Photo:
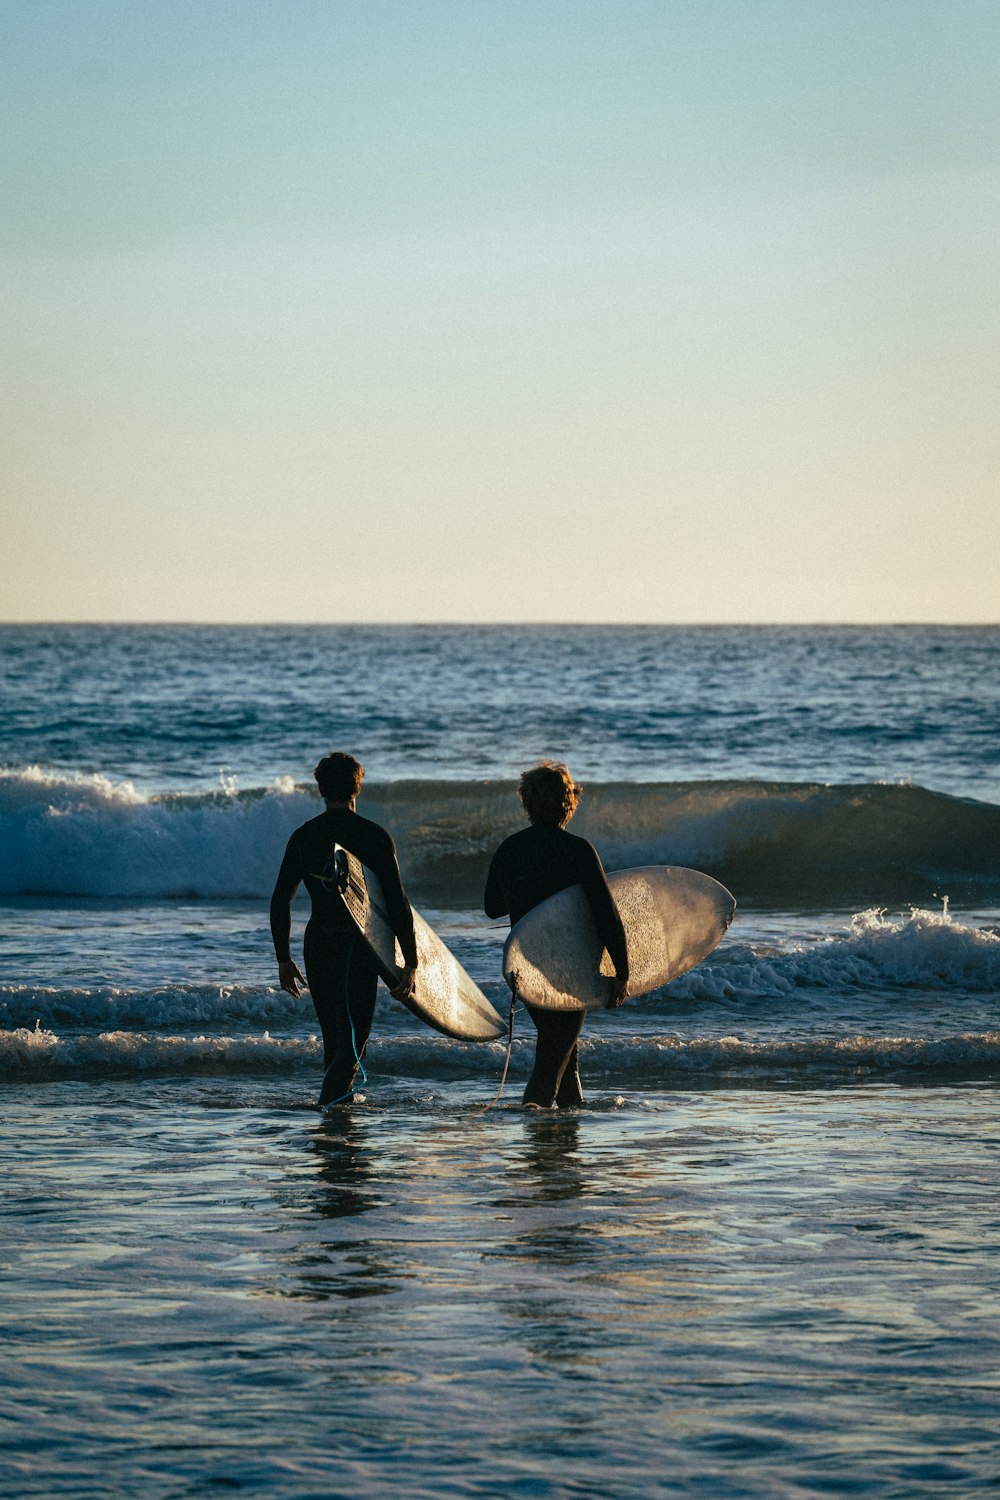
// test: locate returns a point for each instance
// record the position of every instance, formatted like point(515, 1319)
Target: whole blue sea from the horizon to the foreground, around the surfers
point(762, 1261)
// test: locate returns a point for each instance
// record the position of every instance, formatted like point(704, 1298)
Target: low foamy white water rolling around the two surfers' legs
point(926, 983)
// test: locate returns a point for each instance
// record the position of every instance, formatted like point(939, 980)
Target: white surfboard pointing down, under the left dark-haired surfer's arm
point(445, 995)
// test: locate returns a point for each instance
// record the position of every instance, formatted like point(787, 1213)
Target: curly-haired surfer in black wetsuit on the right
point(530, 868)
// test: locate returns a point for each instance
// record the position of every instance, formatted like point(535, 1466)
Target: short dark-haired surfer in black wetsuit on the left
point(341, 976)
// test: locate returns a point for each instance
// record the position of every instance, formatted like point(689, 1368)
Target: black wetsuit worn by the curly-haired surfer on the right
point(528, 869)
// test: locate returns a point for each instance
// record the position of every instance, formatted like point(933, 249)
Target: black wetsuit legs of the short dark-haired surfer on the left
point(344, 983)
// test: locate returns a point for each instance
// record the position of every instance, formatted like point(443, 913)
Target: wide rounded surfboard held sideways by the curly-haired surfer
point(672, 917)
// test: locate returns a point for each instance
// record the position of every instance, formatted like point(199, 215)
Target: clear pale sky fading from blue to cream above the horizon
point(500, 311)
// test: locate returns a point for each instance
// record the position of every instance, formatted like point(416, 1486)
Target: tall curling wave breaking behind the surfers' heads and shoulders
point(800, 844)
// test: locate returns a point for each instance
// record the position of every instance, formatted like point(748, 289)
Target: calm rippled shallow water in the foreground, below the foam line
point(741, 1294)
